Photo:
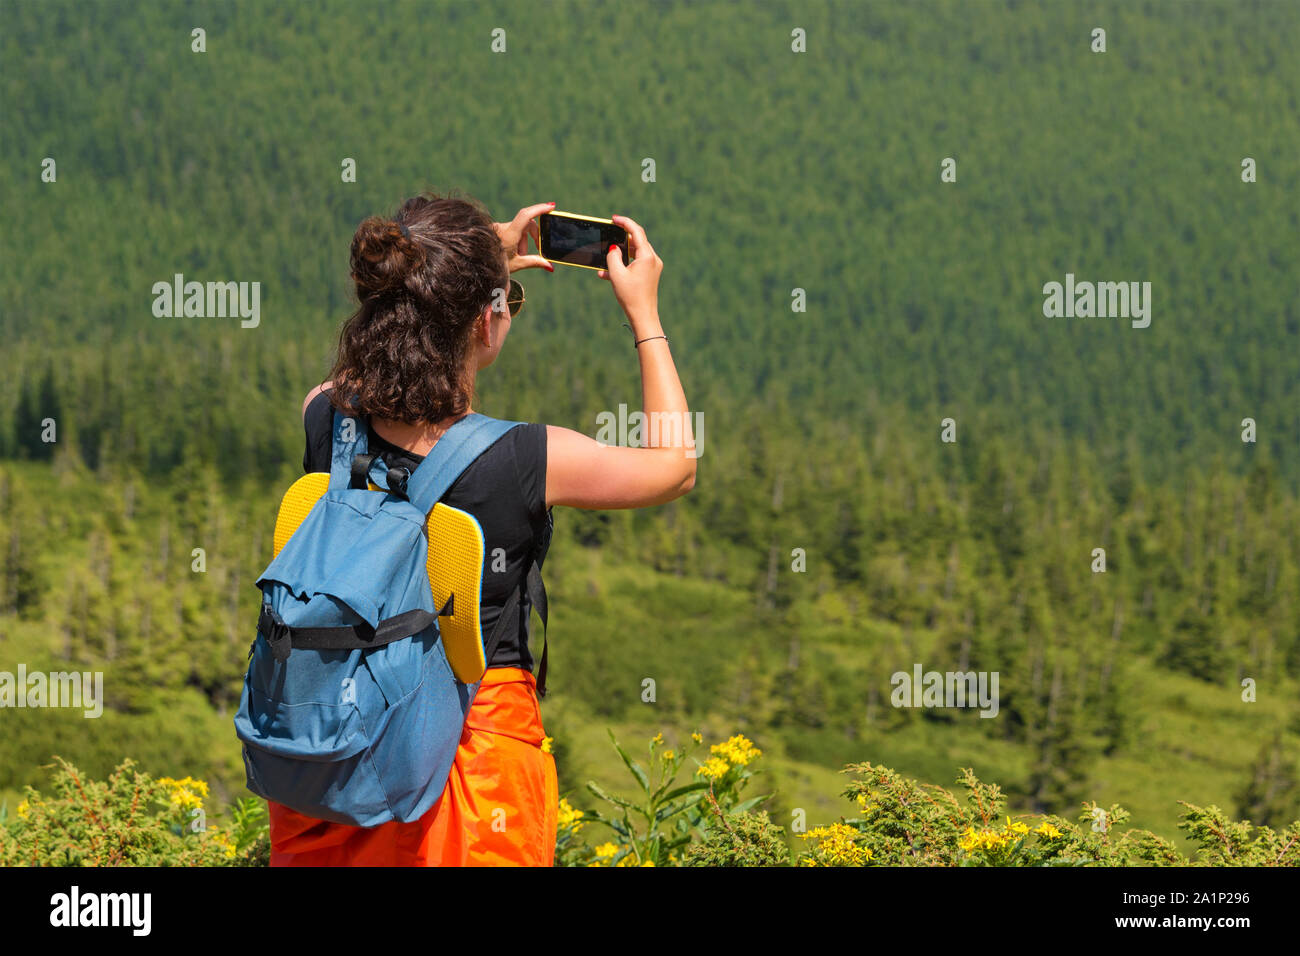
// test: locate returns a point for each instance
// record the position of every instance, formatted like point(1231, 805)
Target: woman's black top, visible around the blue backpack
point(505, 490)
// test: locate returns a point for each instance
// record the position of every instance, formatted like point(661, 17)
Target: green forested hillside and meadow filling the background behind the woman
point(904, 460)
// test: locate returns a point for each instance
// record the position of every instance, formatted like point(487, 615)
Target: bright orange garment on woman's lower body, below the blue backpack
point(500, 807)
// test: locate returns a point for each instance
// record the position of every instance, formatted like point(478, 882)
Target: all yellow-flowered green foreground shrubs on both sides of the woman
point(132, 820)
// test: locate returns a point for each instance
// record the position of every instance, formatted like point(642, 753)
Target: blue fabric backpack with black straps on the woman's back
point(350, 711)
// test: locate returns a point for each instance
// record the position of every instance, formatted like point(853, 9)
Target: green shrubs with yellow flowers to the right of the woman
point(899, 823)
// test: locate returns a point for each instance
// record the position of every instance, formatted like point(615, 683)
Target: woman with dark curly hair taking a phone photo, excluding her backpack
point(434, 312)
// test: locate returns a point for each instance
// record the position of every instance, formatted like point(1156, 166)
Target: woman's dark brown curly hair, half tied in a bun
point(423, 279)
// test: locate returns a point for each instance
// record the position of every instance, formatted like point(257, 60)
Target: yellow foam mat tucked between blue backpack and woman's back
point(456, 569)
